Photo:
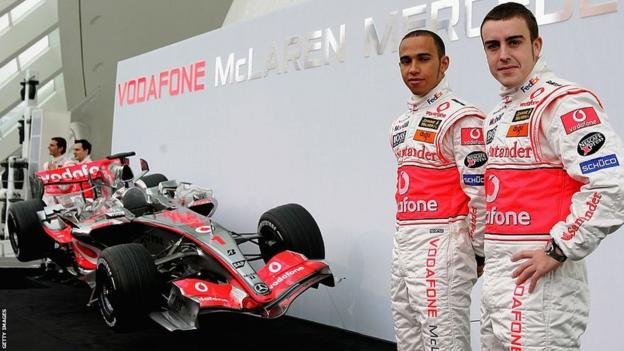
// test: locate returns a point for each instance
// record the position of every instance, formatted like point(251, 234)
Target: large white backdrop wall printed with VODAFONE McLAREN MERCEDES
point(316, 134)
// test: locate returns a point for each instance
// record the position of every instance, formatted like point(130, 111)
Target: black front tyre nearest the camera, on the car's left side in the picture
point(127, 286)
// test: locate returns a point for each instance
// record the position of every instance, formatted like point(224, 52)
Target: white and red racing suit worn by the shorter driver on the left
point(440, 151)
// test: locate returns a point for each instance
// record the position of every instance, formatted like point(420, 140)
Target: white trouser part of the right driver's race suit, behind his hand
point(542, 320)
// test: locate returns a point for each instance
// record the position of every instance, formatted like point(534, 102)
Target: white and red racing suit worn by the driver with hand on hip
point(553, 173)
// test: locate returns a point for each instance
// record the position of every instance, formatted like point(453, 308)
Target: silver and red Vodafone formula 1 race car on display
point(148, 246)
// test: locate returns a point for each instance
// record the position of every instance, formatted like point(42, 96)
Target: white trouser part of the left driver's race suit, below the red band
point(433, 272)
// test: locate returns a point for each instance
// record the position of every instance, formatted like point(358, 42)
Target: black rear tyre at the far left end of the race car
point(28, 240)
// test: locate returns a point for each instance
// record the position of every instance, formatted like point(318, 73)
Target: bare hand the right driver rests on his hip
point(537, 265)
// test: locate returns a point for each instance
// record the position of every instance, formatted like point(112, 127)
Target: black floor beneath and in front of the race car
point(47, 314)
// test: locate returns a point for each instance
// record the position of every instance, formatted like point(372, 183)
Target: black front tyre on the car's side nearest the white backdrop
point(290, 227)
